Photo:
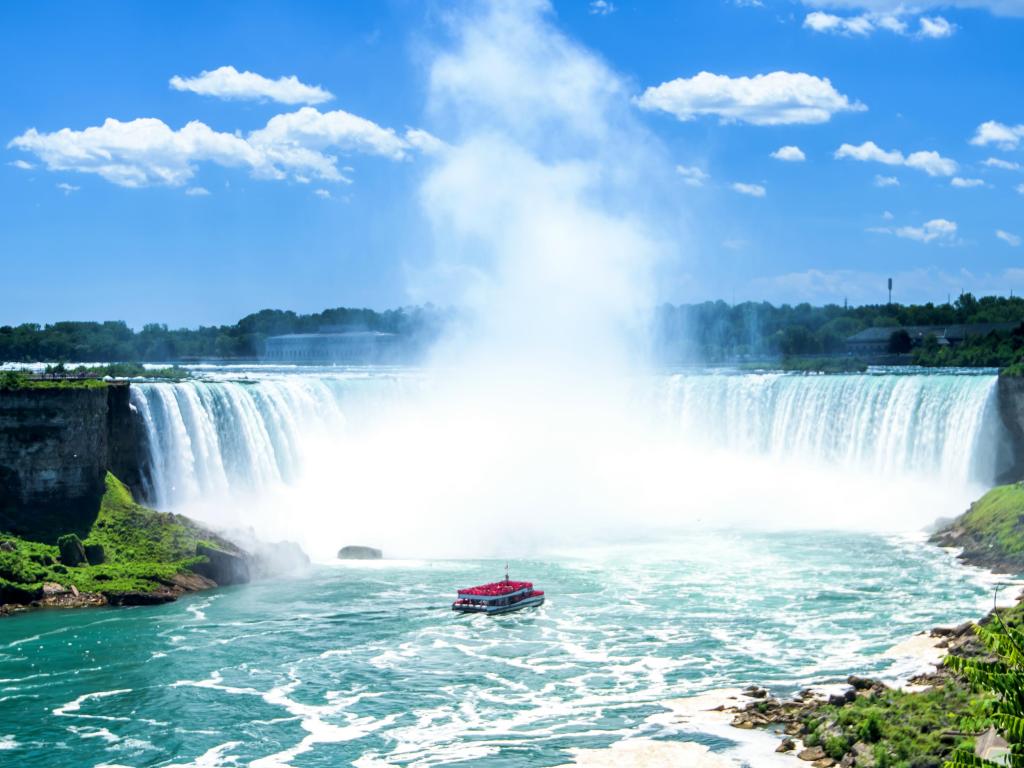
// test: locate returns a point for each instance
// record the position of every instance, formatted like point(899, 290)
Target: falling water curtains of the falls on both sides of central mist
point(218, 438)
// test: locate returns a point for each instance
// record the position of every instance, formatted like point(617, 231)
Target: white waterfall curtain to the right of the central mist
point(928, 424)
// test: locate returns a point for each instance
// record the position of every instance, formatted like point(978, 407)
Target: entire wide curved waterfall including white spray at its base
point(387, 460)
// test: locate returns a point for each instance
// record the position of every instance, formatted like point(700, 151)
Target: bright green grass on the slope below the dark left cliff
point(144, 550)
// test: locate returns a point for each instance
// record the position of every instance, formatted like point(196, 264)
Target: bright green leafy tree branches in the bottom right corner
point(1001, 675)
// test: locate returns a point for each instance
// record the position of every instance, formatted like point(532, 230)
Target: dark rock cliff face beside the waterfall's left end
point(56, 448)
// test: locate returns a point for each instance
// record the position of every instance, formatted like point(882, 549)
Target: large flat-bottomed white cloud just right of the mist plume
point(777, 99)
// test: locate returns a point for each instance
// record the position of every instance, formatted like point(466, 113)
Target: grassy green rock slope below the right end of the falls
point(992, 533)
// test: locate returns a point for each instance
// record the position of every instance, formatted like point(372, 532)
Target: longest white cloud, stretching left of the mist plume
point(148, 152)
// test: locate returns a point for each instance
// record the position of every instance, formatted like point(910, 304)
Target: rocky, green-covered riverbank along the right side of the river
point(868, 723)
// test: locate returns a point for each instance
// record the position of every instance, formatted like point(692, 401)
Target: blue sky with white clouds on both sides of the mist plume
point(309, 193)
